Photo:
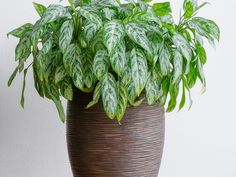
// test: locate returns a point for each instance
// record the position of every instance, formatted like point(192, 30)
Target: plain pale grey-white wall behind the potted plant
point(199, 143)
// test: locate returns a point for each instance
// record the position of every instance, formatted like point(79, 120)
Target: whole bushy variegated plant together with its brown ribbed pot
point(127, 62)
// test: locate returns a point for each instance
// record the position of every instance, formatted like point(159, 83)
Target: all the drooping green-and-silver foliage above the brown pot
point(123, 53)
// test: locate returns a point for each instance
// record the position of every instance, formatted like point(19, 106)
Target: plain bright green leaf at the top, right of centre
point(162, 9)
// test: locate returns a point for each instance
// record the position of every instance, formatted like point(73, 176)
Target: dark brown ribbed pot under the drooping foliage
point(100, 147)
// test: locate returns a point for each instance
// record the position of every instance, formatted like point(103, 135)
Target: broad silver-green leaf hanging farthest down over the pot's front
point(109, 95)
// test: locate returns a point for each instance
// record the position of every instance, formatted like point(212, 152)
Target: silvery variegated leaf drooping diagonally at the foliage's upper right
point(184, 48)
